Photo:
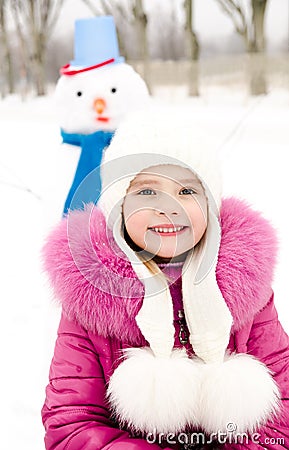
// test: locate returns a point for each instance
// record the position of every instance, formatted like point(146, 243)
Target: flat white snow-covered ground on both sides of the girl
point(35, 173)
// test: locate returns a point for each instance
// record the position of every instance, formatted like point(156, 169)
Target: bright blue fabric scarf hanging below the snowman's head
point(86, 185)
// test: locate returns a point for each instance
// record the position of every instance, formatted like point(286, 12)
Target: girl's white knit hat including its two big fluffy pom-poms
point(165, 403)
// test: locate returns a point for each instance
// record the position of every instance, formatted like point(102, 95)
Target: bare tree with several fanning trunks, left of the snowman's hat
point(34, 21)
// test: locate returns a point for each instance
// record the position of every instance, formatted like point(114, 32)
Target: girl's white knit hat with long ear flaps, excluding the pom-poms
point(147, 140)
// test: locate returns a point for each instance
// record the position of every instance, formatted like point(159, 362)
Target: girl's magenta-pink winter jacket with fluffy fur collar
point(98, 321)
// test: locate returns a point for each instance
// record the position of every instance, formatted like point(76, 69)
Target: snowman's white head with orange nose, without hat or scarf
point(99, 99)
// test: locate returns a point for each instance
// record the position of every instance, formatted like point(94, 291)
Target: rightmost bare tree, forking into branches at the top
point(251, 27)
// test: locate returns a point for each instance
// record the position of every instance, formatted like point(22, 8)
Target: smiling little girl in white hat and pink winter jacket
point(169, 337)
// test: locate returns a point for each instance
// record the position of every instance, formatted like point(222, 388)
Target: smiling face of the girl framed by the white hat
point(165, 210)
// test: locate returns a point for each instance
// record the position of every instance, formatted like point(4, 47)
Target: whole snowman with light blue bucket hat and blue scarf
point(94, 93)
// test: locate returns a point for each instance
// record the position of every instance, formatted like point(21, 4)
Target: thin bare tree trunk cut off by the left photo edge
point(6, 68)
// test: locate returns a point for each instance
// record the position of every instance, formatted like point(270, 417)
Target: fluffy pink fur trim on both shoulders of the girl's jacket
point(98, 288)
